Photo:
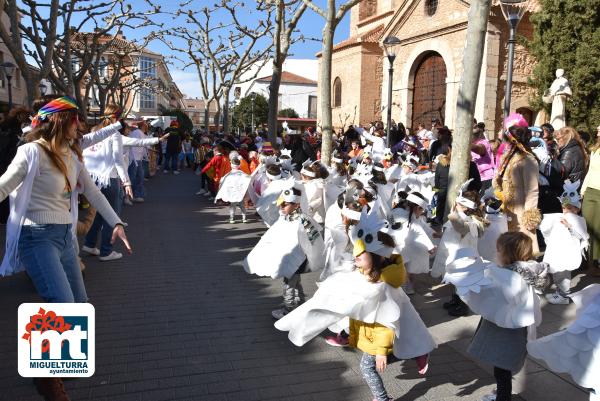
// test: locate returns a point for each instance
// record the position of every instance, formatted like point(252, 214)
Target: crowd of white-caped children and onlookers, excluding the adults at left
point(375, 218)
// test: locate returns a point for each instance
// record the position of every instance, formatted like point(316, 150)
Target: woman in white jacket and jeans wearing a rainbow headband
point(43, 181)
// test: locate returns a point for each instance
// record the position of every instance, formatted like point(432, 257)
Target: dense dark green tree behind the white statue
point(567, 35)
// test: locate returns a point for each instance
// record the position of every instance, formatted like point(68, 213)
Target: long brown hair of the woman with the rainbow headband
point(54, 132)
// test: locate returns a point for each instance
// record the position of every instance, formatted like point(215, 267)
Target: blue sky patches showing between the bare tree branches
point(310, 25)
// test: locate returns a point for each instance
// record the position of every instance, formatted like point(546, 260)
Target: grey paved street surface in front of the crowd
point(181, 320)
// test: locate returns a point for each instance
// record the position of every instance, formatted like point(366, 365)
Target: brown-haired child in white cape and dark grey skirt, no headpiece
point(505, 297)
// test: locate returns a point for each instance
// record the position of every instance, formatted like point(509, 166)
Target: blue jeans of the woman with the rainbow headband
point(47, 252)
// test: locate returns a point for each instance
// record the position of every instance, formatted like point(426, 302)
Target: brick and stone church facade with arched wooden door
point(428, 66)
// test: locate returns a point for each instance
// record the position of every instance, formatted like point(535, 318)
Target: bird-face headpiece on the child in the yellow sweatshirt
point(364, 235)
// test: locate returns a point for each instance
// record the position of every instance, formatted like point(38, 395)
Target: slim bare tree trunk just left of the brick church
point(326, 115)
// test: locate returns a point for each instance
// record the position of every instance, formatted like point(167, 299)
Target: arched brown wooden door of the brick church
point(429, 90)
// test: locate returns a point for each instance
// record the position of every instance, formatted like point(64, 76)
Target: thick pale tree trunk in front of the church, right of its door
point(467, 96)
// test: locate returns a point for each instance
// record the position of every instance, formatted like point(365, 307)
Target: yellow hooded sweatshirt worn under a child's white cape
point(374, 338)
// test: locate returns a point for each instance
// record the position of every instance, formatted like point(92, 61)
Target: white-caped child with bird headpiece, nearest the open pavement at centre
point(290, 247)
